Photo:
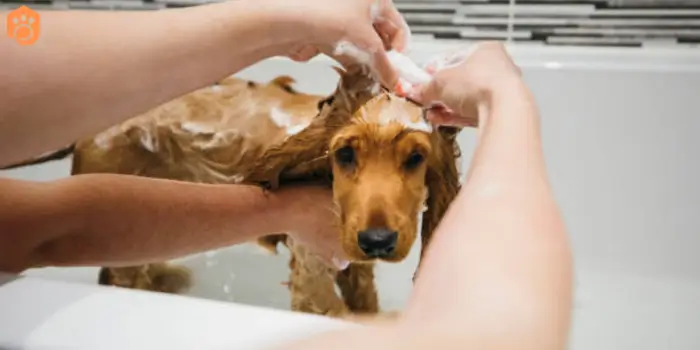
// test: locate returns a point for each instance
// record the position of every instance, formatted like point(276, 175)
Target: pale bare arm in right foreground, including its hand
point(498, 273)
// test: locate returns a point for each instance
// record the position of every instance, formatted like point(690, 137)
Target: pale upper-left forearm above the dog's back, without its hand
point(86, 73)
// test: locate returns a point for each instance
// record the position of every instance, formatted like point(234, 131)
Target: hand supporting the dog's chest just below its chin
point(311, 218)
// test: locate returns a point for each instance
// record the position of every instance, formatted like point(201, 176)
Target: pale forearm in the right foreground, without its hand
point(499, 264)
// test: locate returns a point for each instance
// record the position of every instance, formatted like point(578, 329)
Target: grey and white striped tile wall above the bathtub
point(633, 23)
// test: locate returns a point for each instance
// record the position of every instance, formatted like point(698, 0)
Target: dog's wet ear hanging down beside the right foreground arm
point(442, 182)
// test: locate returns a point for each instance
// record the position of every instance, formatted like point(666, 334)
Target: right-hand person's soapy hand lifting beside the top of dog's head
point(460, 92)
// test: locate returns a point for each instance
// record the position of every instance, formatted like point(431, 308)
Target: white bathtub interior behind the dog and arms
point(618, 131)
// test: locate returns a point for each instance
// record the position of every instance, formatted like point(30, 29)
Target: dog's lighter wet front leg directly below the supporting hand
point(312, 285)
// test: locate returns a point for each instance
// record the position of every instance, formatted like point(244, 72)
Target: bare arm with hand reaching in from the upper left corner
point(91, 70)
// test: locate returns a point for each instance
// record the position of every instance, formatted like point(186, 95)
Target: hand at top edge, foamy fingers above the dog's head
point(351, 31)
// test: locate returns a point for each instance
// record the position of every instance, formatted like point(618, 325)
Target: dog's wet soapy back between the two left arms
point(210, 136)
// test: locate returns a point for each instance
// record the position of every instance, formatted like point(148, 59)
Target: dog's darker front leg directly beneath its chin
point(356, 284)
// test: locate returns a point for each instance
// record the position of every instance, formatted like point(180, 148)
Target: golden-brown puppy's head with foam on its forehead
point(381, 157)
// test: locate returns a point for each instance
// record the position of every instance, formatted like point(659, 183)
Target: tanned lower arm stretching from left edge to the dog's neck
point(113, 219)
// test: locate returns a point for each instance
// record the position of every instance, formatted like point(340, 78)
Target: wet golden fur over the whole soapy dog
point(225, 134)
